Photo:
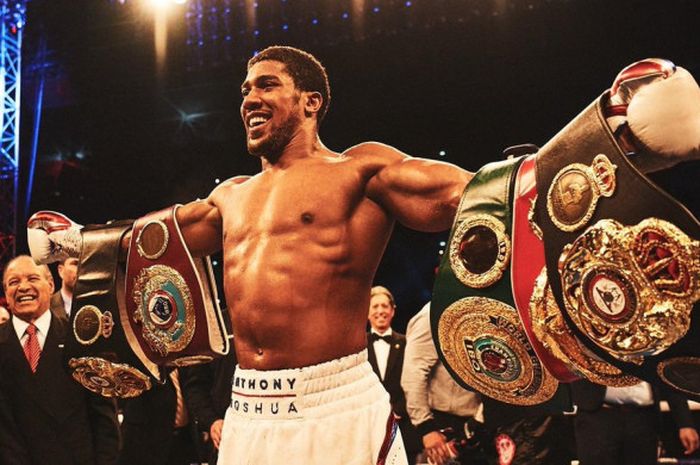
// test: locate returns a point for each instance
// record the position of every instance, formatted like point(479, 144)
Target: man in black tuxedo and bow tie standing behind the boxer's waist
point(386, 349)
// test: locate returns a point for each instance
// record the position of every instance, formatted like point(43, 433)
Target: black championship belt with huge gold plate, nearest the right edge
point(622, 256)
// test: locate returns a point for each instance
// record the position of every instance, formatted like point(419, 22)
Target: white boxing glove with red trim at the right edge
point(660, 104)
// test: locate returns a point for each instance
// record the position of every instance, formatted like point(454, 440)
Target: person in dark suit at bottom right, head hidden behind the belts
point(620, 426)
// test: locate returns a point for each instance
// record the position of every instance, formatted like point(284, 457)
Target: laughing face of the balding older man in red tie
point(27, 290)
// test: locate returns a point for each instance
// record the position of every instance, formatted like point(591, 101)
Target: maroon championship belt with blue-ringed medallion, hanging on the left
point(171, 299)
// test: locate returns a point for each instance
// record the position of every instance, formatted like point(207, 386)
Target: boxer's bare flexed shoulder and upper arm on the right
point(421, 194)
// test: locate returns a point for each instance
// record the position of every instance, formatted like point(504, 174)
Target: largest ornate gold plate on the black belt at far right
point(631, 289)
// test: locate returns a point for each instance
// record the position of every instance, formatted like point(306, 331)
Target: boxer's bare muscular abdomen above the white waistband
point(294, 301)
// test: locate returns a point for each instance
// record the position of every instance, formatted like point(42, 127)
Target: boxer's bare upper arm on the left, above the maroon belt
point(201, 226)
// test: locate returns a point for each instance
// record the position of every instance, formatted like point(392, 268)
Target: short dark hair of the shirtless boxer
point(306, 71)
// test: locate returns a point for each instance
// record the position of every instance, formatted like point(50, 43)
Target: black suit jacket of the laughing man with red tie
point(46, 417)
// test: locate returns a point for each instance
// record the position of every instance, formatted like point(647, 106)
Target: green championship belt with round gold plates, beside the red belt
point(476, 327)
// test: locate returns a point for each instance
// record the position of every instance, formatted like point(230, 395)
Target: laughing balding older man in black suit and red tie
point(45, 416)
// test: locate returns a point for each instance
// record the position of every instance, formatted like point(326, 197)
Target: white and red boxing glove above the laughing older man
point(53, 237)
